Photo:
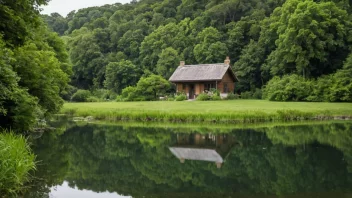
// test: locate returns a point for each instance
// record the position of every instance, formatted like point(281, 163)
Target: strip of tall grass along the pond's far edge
point(235, 117)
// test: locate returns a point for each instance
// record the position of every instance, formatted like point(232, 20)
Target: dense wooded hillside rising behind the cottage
point(291, 50)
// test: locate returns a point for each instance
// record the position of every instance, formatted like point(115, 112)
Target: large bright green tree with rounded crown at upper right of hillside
point(313, 38)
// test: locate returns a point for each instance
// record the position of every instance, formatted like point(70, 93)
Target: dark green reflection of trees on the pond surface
point(136, 161)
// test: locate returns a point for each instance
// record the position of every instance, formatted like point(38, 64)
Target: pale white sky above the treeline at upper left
point(63, 7)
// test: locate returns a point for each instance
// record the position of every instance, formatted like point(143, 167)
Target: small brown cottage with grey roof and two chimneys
point(196, 79)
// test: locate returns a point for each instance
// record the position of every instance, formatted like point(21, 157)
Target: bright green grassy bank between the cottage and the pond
point(210, 111)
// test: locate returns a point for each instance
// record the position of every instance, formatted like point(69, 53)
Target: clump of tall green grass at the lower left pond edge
point(16, 160)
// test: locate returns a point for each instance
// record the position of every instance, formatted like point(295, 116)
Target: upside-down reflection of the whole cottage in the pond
point(212, 148)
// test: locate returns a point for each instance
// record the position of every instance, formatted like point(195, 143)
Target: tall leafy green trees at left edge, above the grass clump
point(34, 66)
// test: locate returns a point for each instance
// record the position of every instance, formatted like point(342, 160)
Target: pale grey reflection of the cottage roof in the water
point(196, 154)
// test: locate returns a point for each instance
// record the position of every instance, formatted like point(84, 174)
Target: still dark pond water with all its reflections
point(107, 160)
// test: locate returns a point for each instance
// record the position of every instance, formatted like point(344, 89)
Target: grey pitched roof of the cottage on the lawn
point(202, 72)
